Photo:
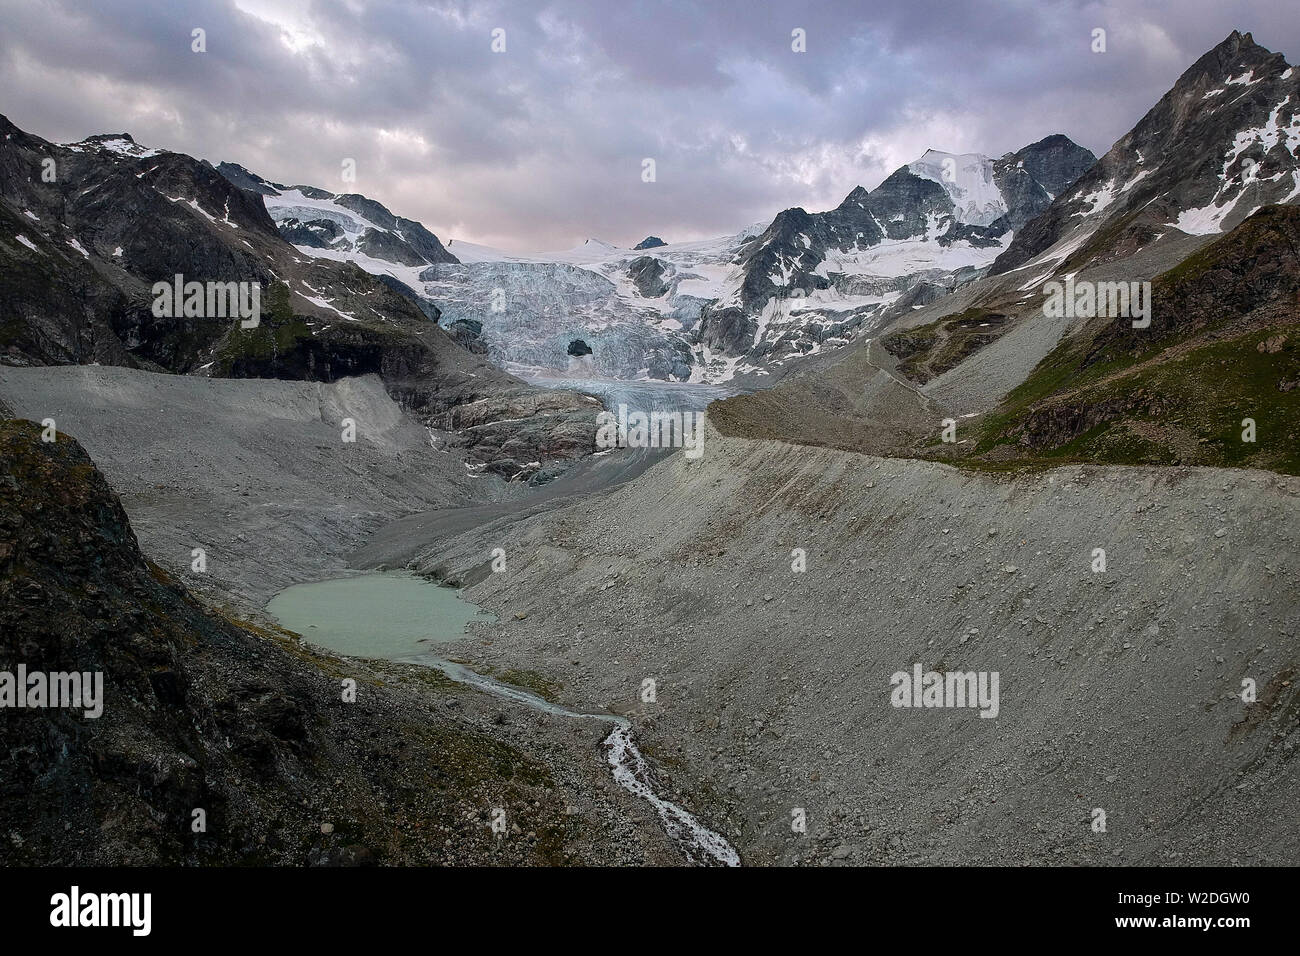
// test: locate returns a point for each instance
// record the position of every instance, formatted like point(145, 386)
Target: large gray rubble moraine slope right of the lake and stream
point(1119, 690)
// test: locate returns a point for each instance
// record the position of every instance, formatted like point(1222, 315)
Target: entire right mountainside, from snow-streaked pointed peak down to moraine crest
point(994, 339)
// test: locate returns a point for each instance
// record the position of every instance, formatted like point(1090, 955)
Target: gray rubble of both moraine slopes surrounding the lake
point(772, 687)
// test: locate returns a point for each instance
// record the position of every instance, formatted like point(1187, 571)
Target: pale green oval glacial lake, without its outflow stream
point(388, 615)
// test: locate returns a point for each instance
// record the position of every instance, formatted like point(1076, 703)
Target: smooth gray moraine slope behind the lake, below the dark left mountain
point(255, 473)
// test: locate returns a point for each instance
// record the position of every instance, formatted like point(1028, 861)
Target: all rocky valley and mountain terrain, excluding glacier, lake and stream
point(748, 611)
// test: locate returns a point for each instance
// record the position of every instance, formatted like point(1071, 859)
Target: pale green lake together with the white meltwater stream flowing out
point(397, 616)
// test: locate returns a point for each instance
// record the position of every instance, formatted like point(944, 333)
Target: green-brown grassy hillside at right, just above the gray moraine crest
point(1224, 347)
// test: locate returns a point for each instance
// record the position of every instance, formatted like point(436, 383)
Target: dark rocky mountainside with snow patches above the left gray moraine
point(85, 270)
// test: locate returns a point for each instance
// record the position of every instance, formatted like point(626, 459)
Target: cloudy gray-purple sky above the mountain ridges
point(543, 145)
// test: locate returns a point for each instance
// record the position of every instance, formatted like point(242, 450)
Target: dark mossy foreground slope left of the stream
point(248, 725)
